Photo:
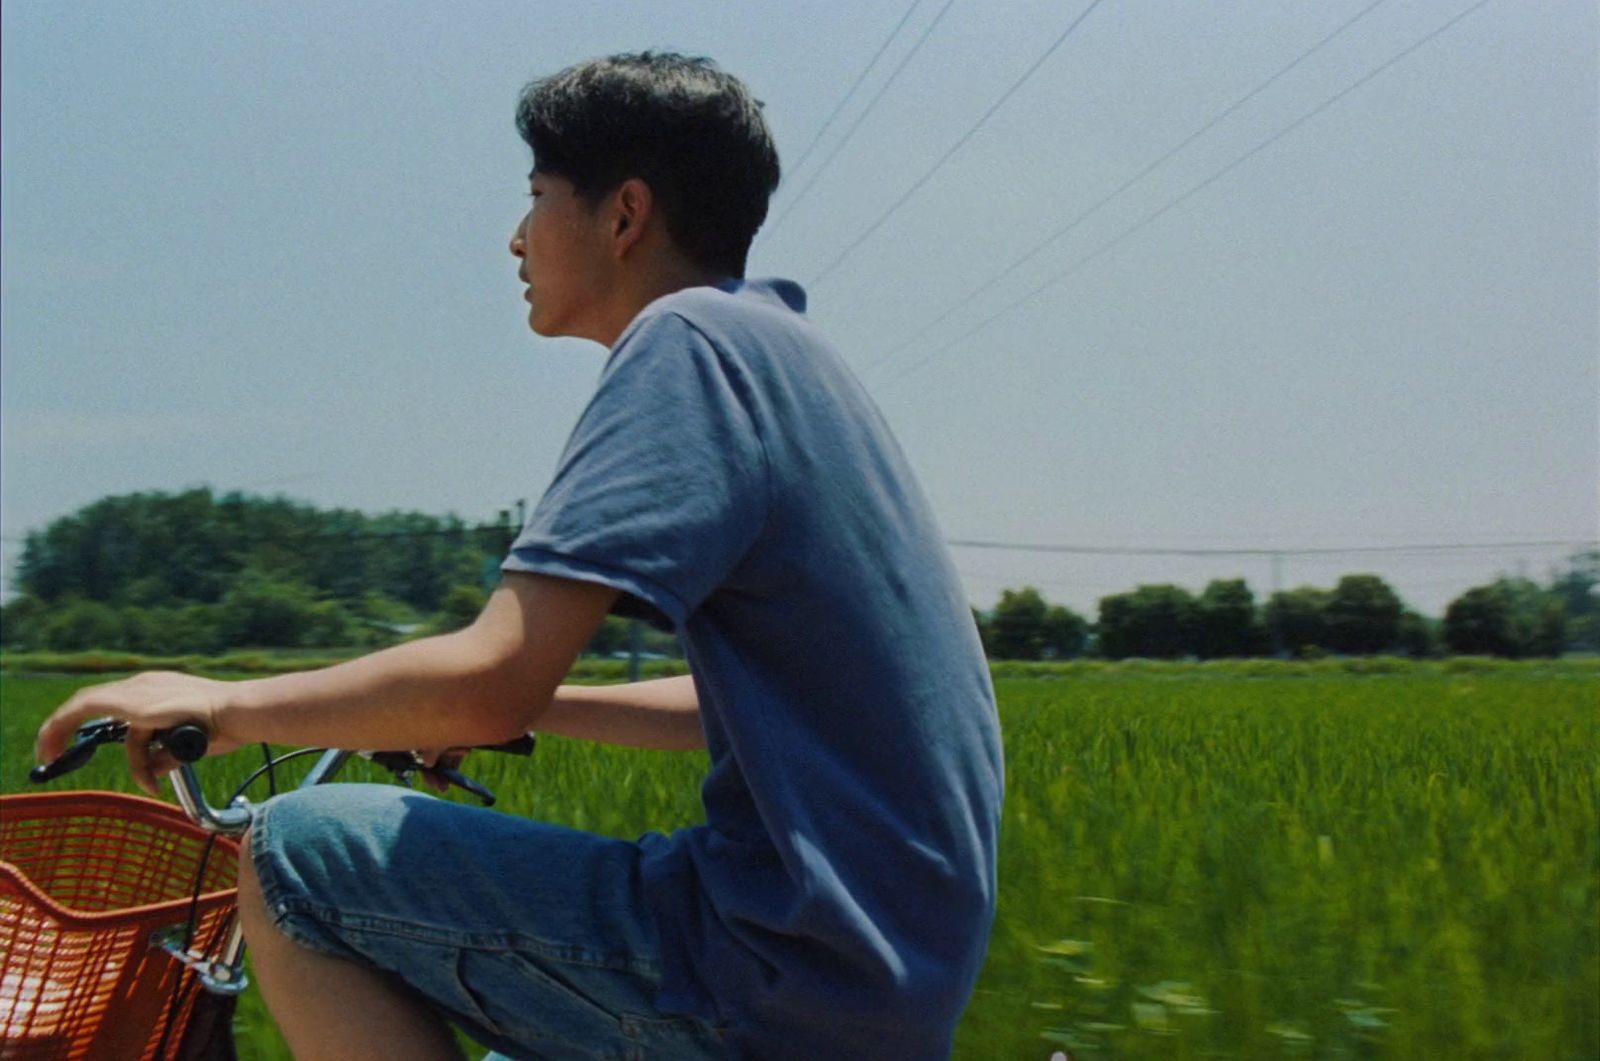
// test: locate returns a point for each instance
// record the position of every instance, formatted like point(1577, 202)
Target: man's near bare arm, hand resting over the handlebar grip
point(481, 686)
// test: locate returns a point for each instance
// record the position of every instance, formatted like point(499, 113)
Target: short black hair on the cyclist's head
point(690, 132)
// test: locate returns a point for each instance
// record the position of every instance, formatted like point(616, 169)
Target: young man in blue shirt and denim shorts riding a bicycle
point(730, 478)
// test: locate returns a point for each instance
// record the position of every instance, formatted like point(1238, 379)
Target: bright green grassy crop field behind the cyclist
point(1215, 860)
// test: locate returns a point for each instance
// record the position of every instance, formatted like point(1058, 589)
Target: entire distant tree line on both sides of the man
point(194, 572)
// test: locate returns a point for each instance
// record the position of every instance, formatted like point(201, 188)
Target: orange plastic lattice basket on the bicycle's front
point(86, 879)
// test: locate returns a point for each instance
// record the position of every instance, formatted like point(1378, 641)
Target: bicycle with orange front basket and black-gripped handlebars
point(119, 932)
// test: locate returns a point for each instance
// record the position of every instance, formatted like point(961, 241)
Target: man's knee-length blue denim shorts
point(534, 939)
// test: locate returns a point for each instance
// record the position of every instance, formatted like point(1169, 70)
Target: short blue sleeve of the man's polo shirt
point(663, 486)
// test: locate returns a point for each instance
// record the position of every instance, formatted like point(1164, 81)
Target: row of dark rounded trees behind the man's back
point(1361, 615)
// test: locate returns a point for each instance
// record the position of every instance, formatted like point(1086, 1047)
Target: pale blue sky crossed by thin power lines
point(265, 247)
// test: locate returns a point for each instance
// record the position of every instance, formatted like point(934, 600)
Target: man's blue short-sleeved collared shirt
point(734, 476)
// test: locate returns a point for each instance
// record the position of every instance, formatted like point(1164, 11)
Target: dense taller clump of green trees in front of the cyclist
point(194, 572)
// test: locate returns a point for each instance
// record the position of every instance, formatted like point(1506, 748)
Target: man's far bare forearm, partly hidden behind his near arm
point(662, 715)
